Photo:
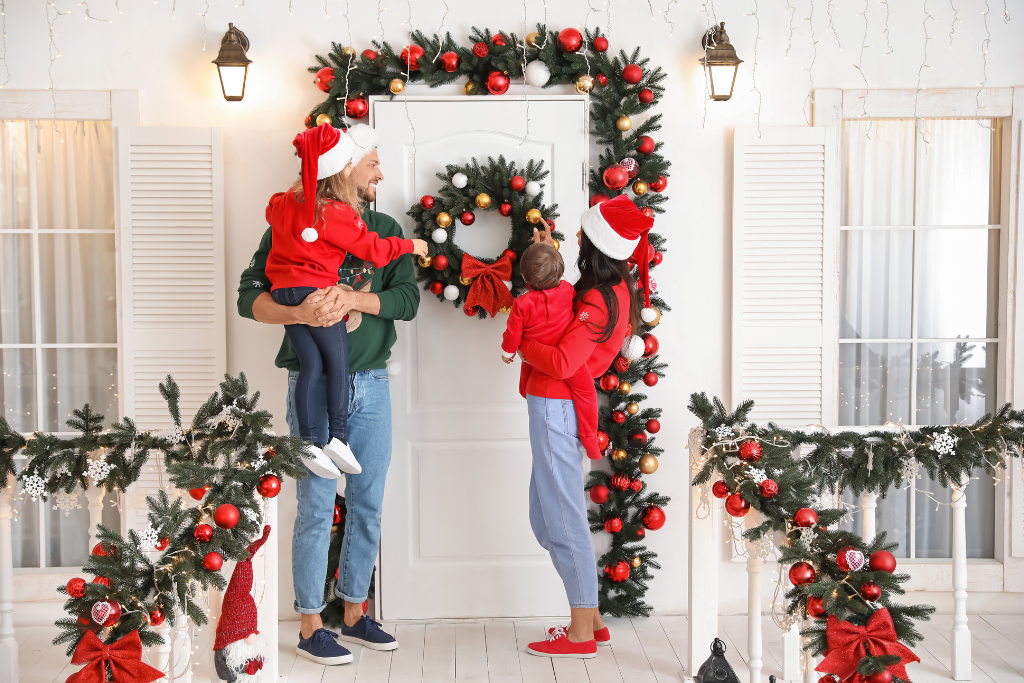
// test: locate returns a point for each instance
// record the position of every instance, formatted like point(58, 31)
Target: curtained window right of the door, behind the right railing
point(919, 295)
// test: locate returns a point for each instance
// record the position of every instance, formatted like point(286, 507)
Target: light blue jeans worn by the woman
point(558, 508)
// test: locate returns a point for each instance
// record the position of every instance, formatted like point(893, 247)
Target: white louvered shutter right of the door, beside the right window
point(785, 262)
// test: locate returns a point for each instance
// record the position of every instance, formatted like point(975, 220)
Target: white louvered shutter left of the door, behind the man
point(173, 309)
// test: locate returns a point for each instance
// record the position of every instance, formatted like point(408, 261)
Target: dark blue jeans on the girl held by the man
point(322, 352)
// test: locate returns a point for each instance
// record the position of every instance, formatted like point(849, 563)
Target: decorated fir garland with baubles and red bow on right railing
point(839, 580)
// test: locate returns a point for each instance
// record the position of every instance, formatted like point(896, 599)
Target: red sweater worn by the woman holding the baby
point(553, 365)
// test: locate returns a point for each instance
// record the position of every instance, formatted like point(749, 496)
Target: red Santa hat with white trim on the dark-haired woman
point(619, 231)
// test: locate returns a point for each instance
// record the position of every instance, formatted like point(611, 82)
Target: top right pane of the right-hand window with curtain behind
point(954, 173)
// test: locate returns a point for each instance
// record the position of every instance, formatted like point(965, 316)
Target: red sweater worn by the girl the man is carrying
point(295, 263)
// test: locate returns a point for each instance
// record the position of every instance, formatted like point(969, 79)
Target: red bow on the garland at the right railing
point(847, 646)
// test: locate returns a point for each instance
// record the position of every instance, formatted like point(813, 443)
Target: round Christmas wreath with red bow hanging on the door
point(478, 283)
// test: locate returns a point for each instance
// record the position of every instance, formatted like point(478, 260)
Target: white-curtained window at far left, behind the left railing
point(59, 335)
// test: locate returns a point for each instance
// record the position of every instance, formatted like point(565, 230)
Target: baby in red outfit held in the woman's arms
point(543, 315)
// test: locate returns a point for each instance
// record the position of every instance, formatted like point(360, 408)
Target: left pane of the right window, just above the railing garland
point(874, 385)
